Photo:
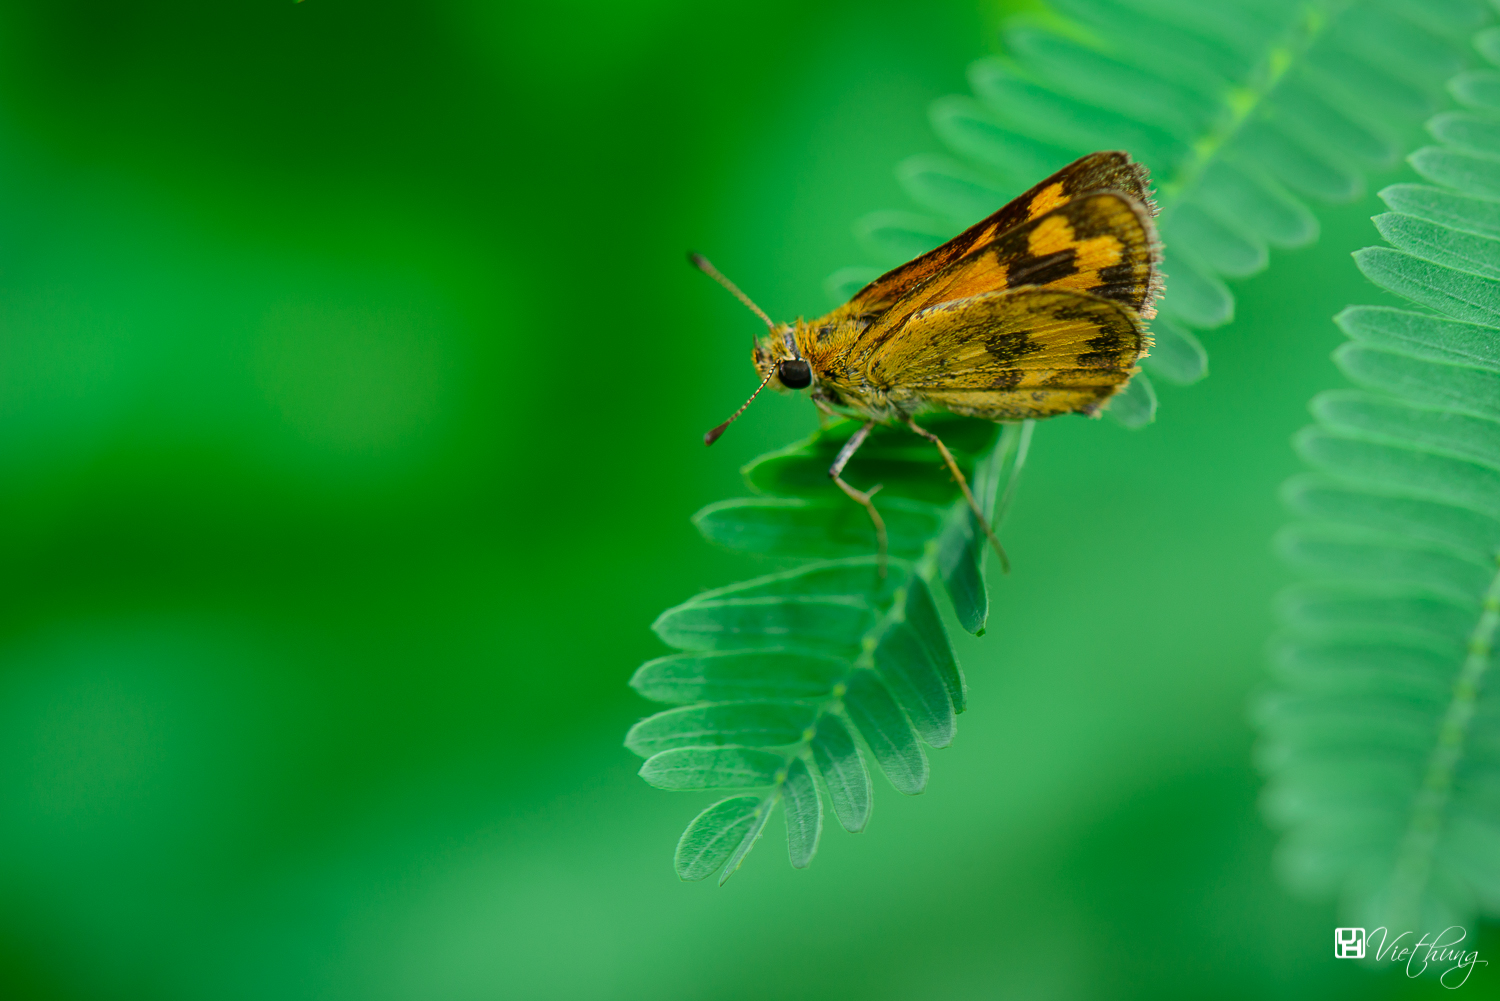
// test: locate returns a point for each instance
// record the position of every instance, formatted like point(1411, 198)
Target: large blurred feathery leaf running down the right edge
point(1382, 741)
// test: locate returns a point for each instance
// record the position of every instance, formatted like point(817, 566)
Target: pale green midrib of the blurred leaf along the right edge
point(1414, 868)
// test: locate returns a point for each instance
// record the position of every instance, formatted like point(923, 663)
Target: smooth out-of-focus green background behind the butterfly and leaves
point(352, 385)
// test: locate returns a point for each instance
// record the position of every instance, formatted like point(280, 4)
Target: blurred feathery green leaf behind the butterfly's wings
point(1244, 110)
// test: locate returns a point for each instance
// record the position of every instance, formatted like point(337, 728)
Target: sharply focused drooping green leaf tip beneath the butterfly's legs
point(796, 684)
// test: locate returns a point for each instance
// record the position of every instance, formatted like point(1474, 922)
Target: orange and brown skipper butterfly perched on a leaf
point(1033, 313)
